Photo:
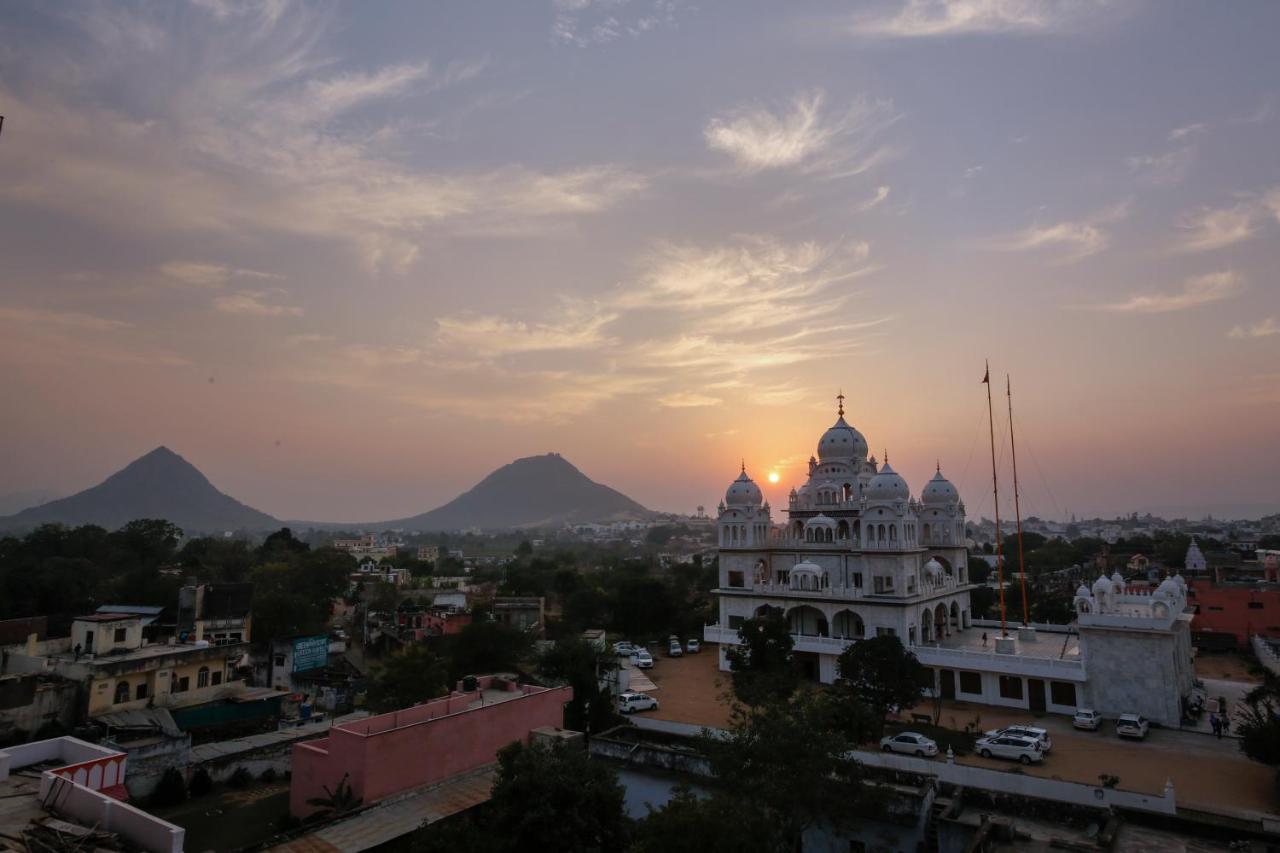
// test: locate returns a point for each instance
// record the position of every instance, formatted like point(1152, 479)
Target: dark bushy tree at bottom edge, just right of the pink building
point(556, 799)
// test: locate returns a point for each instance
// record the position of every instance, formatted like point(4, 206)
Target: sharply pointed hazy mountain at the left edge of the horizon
point(158, 486)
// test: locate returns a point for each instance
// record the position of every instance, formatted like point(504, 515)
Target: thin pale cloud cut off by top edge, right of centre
point(941, 19)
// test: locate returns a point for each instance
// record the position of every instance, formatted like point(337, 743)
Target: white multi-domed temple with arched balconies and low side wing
point(858, 556)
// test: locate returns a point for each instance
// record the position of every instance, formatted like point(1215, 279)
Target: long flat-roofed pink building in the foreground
point(428, 743)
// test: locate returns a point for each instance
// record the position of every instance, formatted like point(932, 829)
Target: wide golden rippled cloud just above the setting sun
point(692, 327)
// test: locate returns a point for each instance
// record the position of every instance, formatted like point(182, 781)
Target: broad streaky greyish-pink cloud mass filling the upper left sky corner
point(254, 130)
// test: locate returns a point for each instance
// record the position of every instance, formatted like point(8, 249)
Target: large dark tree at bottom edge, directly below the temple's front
point(785, 764)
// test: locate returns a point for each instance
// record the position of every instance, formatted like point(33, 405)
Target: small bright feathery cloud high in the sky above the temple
point(802, 135)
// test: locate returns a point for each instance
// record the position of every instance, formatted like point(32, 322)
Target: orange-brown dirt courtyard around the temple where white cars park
point(1205, 772)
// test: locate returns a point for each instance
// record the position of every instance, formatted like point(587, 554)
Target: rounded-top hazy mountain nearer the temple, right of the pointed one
point(532, 492)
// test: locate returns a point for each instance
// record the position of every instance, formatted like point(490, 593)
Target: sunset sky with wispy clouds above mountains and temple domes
point(350, 258)
